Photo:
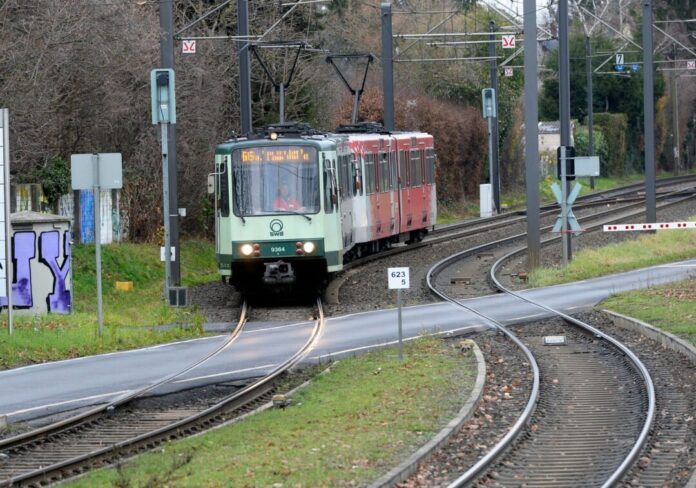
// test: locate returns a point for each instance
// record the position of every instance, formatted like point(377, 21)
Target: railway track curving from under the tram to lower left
point(132, 425)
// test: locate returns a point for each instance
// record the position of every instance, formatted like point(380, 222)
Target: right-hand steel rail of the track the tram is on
point(248, 394)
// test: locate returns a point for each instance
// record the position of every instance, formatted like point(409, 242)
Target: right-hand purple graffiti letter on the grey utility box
point(49, 249)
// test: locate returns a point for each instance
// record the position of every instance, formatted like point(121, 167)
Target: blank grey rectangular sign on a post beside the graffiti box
point(97, 172)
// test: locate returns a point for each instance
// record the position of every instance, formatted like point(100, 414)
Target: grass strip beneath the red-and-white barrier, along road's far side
point(646, 250)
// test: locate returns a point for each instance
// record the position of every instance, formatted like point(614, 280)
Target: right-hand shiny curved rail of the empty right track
point(642, 369)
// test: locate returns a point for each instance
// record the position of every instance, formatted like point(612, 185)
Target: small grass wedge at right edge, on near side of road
point(671, 307)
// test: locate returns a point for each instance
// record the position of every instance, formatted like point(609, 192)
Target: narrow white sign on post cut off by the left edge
point(5, 227)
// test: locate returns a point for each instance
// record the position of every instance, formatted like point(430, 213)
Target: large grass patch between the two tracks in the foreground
point(346, 429)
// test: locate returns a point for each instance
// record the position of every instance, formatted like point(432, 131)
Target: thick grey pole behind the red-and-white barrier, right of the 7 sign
point(649, 115)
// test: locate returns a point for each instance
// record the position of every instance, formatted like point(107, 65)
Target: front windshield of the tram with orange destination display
point(270, 180)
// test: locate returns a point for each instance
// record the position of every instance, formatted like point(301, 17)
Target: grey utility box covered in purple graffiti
point(41, 261)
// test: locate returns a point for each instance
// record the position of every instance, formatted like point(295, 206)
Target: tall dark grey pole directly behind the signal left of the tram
point(167, 61)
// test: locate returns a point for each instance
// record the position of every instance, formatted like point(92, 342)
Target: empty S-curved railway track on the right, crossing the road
point(574, 426)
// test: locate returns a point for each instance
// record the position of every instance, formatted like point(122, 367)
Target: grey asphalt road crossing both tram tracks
point(36, 391)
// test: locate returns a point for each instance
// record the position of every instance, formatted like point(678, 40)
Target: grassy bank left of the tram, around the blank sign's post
point(50, 337)
